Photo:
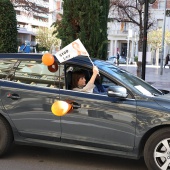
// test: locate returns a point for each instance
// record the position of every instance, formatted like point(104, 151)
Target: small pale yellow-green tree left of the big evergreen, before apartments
point(46, 39)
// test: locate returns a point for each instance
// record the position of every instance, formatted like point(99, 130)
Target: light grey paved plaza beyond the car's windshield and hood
point(152, 75)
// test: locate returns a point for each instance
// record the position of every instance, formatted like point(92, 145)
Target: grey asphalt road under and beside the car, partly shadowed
point(38, 158)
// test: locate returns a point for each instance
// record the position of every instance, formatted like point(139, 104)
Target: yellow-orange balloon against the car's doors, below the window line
point(60, 108)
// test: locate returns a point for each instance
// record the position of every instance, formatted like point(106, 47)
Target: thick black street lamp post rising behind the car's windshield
point(145, 34)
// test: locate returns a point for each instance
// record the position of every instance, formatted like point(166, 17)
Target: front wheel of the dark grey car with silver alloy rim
point(157, 150)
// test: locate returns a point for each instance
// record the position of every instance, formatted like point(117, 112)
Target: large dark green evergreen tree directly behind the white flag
point(86, 20)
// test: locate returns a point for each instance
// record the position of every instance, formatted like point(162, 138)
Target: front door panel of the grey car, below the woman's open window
point(99, 121)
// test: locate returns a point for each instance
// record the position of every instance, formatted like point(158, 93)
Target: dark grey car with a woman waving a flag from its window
point(132, 120)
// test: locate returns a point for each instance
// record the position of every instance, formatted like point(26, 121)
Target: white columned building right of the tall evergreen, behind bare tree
point(123, 37)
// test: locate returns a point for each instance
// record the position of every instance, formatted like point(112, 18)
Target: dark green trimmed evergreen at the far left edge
point(8, 27)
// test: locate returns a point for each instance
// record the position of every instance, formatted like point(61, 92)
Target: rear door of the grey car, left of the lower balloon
point(28, 102)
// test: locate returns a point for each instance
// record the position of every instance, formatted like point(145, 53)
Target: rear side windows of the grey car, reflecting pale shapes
point(33, 73)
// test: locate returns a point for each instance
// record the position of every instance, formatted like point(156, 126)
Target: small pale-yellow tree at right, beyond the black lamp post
point(155, 40)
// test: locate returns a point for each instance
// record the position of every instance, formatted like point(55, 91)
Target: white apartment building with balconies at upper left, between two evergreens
point(29, 22)
